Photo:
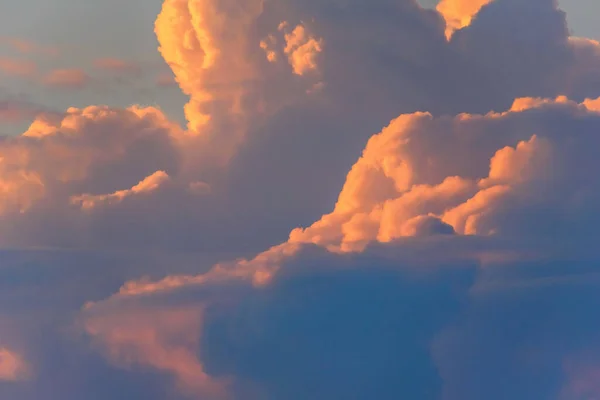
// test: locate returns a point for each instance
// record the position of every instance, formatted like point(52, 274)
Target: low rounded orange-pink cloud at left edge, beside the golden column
point(82, 151)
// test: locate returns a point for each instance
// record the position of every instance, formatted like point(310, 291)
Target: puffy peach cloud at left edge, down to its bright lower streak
point(57, 151)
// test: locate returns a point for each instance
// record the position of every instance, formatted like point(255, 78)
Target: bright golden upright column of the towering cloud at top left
point(208, 50)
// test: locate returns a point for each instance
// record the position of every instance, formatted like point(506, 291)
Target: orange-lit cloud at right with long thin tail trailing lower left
point(407, 183)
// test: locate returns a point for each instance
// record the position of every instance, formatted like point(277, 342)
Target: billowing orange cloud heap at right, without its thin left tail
point(421, 167)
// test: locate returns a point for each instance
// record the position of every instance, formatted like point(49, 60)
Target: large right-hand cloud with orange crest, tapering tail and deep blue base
point(412, 196)
